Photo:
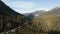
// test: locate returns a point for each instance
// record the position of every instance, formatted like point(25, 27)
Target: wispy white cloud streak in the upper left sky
point(21, 4)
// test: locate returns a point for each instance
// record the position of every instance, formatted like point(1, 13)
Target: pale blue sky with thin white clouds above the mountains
point(28, 6)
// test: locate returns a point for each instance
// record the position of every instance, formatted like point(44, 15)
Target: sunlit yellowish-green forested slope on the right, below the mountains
point(48, 22)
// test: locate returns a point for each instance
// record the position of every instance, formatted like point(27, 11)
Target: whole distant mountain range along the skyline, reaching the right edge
point(54, 11)
